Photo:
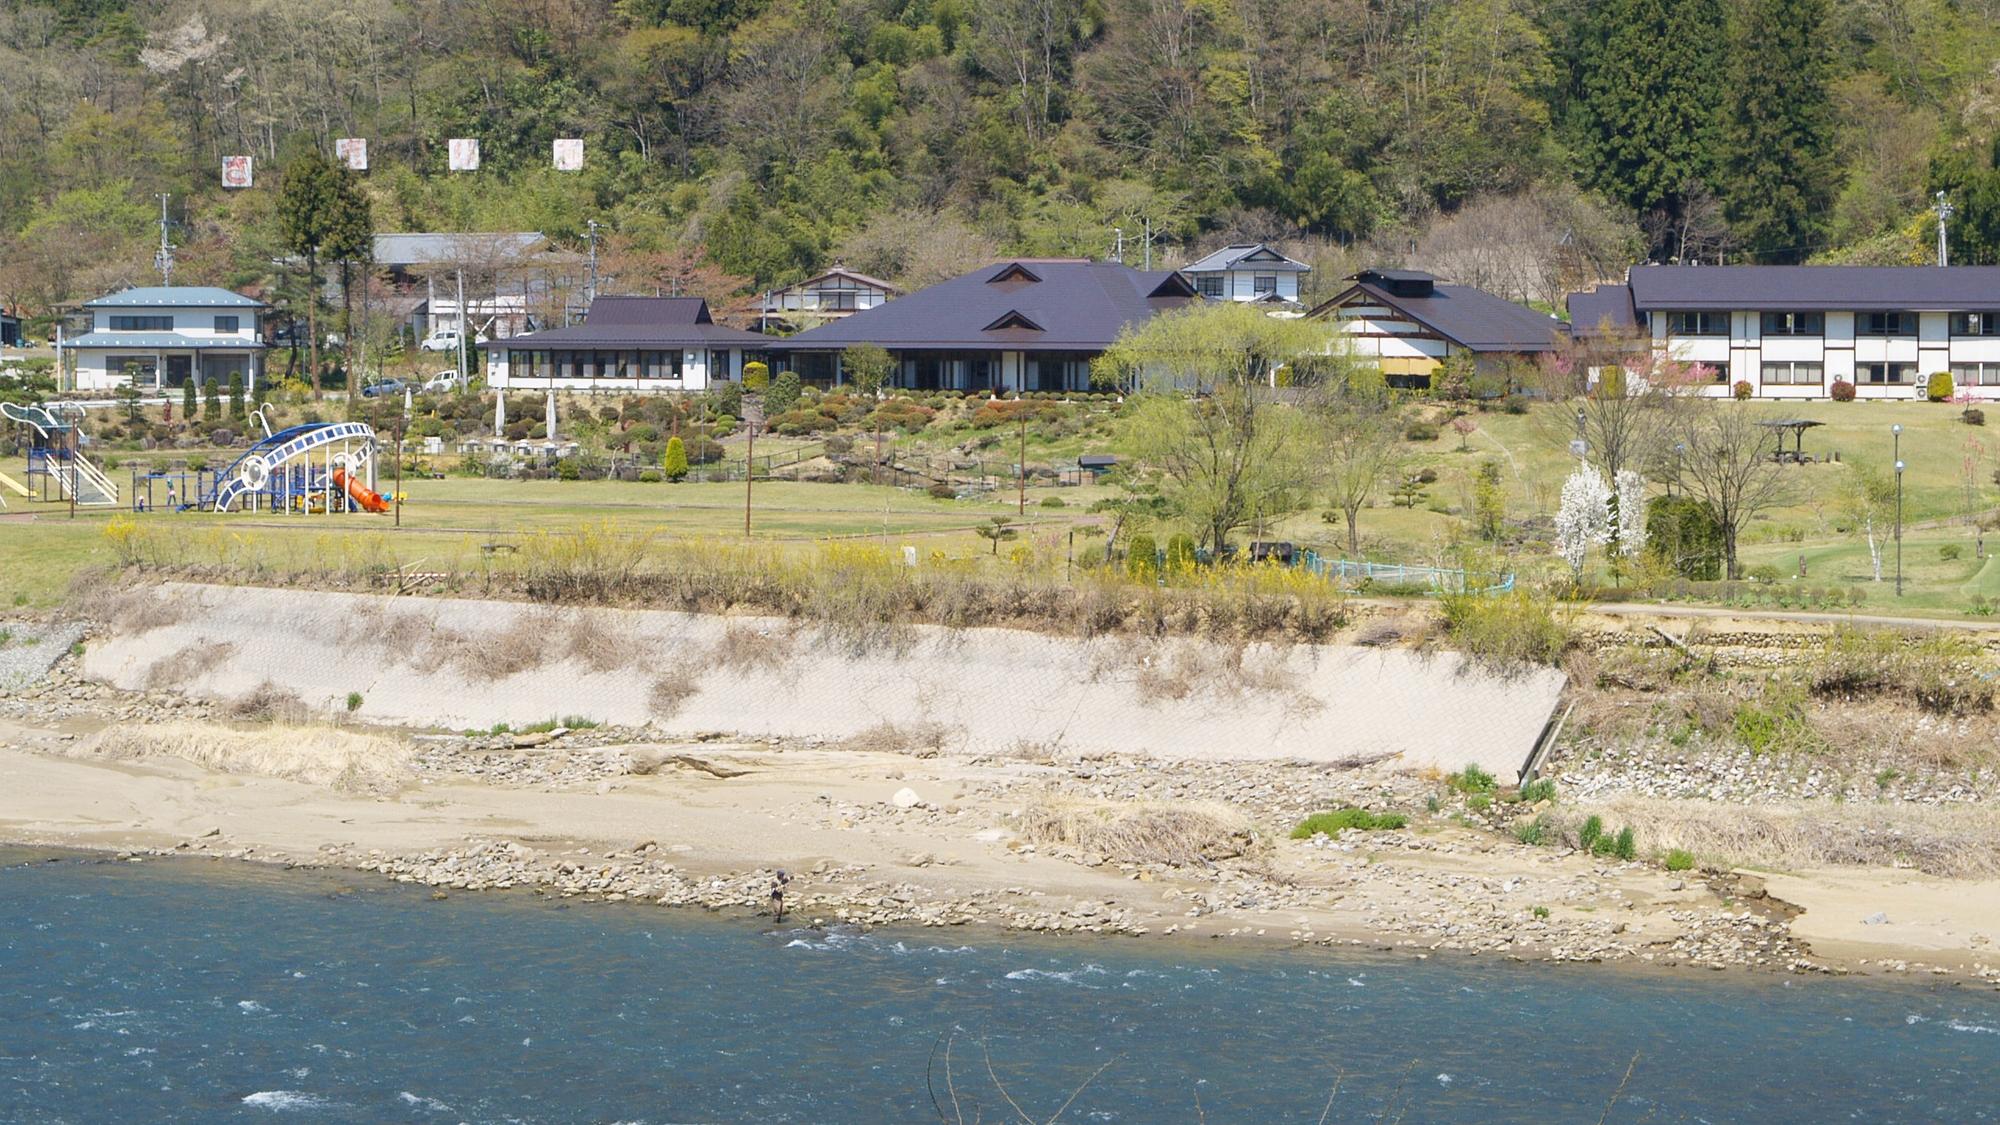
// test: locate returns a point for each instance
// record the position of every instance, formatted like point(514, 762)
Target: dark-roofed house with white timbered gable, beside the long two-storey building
point(1411, 323)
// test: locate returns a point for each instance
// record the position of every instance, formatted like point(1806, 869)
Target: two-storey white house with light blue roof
point(163, 337)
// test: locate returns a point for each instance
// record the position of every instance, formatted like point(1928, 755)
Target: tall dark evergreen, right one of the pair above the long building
point(1777, 175)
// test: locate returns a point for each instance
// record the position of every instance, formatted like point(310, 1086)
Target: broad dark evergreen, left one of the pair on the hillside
point(1649, 101)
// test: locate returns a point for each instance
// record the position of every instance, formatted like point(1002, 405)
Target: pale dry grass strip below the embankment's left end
point(317, 756)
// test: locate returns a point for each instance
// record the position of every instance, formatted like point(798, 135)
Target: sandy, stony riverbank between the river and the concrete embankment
point(573, 818)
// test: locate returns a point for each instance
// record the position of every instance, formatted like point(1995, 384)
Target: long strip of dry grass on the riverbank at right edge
point(1953, 842)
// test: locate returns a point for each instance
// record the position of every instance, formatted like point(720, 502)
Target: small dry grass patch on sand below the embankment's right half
point(1139, 834)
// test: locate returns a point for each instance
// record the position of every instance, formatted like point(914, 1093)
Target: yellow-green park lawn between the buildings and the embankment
point(447, 521)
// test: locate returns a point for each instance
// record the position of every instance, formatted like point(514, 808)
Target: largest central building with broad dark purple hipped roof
point(1015, 325)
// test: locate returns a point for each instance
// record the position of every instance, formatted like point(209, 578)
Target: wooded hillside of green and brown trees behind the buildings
point(1521, 145)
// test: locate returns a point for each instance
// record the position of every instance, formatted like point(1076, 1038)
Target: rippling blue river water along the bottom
point(197, 992)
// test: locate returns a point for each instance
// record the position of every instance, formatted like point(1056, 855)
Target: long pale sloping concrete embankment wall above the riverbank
point(477, 664)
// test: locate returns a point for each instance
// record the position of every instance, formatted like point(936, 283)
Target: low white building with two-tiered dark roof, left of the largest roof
point(627, 345)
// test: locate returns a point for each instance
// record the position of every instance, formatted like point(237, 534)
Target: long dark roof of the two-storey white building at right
point(1815, 287)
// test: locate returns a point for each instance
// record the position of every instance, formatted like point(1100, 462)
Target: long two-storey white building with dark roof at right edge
point(1795, 331)
